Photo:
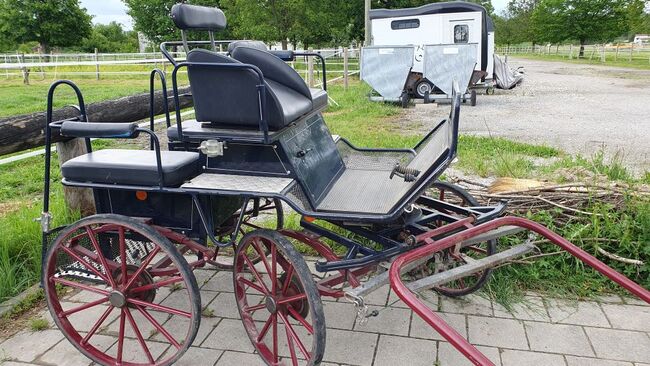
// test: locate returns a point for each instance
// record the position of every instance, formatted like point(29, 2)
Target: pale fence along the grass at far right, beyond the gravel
point(623, 52)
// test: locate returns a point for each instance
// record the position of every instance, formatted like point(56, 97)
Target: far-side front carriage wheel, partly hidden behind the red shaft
point(448, 259)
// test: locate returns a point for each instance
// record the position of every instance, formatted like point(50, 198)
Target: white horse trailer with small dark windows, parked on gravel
point(438, 24)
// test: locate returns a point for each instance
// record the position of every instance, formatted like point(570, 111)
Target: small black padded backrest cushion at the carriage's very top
point(186, 16)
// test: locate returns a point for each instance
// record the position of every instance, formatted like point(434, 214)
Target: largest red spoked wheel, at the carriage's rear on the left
point(110, 299)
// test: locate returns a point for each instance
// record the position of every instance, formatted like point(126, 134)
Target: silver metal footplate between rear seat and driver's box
point(239, 183)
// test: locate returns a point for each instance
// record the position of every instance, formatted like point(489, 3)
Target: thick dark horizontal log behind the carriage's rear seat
point(24, 132)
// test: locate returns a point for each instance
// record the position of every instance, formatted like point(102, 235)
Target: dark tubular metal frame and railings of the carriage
point(380, 229)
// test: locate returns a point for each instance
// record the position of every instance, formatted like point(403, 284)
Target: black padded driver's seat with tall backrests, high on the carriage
point(229, 96)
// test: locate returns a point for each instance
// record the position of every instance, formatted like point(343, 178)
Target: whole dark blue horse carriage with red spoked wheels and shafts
point(120, 284)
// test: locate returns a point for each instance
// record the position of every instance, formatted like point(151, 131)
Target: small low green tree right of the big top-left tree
point(111, 38)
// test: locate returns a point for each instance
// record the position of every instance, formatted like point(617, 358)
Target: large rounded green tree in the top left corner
point(51, 23)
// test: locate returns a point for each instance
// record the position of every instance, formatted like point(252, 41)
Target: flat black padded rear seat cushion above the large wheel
point(132, 167)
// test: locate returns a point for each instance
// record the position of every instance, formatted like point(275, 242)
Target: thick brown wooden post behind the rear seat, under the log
point(77, 199)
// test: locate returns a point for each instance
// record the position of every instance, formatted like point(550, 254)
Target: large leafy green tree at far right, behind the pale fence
point(583, 20)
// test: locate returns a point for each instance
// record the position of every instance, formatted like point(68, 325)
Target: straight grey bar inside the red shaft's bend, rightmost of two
point(473, 267)
